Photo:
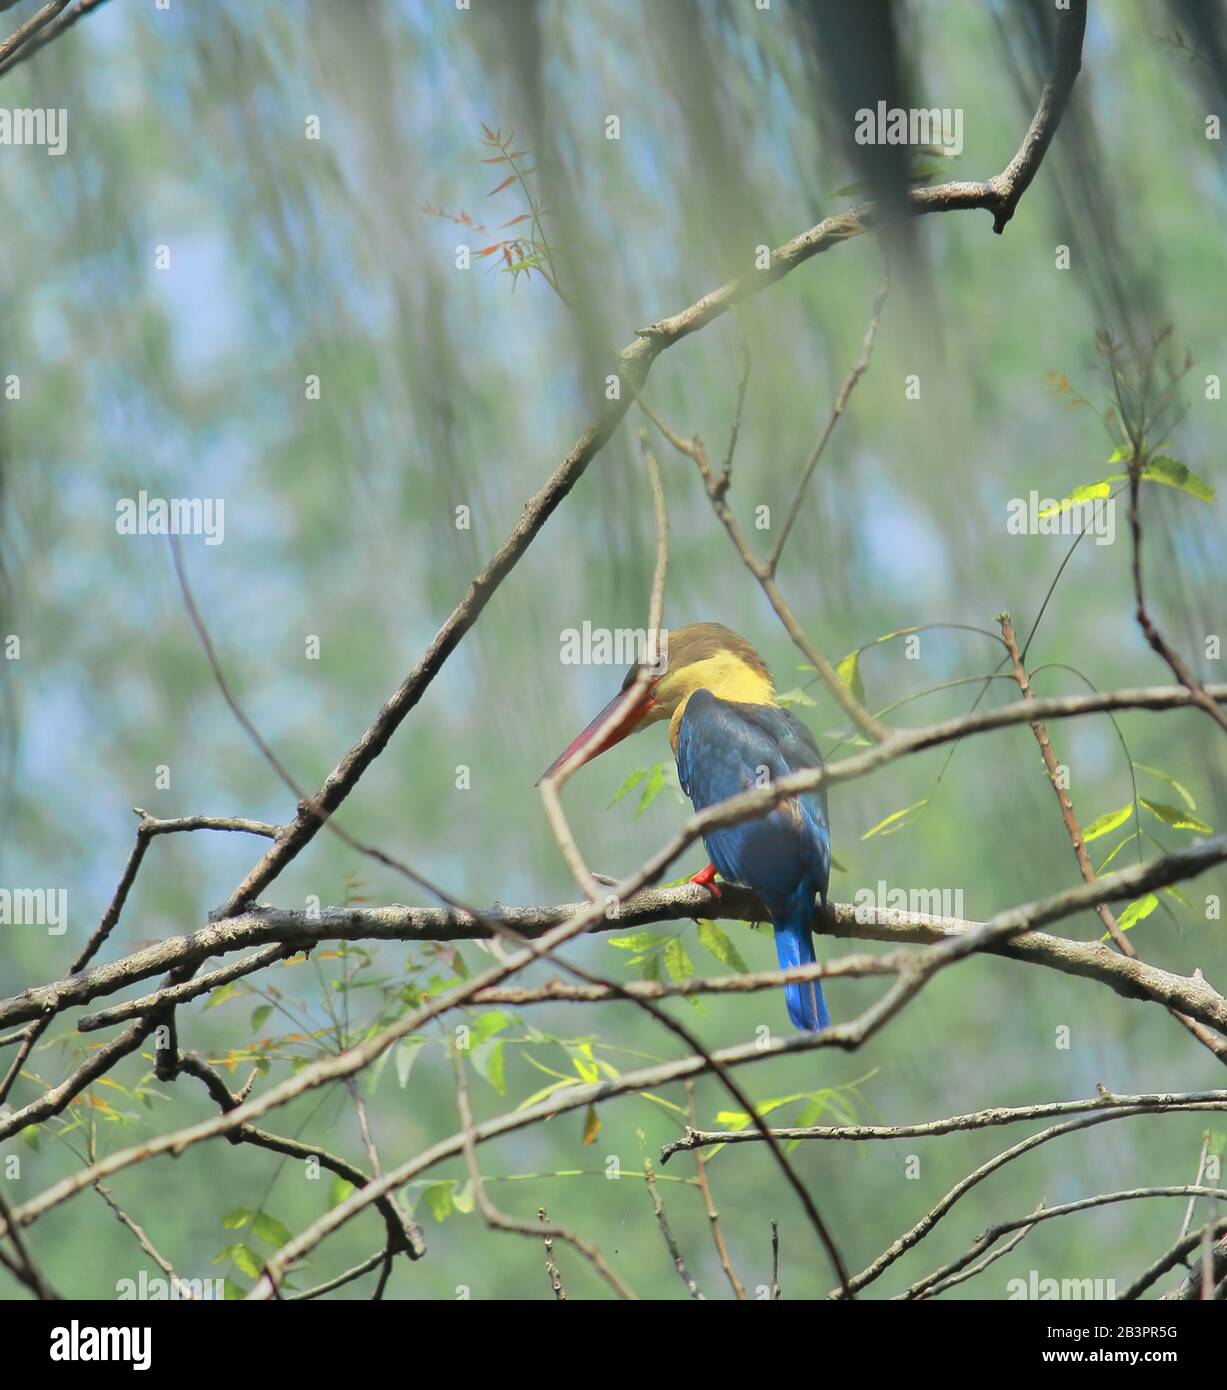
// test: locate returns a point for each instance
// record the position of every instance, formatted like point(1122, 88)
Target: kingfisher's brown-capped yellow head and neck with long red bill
point(698, 657)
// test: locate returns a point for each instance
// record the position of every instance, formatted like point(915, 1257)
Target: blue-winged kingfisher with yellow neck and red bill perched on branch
point(730, 733)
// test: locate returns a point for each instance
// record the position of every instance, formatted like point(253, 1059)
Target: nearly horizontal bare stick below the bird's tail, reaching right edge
point(955, 1124)
